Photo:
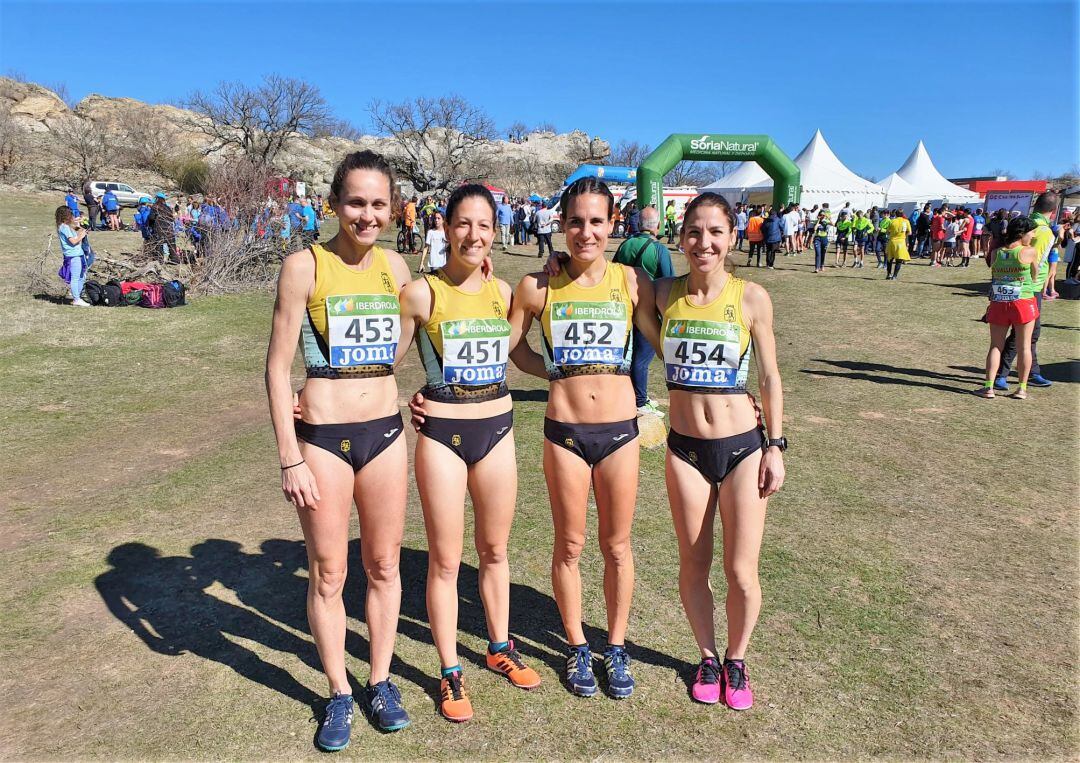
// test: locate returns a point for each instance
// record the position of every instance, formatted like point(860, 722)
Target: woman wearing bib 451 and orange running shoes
point(467, 439)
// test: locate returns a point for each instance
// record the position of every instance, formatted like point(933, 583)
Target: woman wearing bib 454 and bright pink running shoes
point(719, 457)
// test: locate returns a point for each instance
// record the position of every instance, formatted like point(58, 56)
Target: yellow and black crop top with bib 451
point(466, 343)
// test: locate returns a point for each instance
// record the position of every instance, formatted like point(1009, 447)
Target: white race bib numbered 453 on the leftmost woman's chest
point(364, 329)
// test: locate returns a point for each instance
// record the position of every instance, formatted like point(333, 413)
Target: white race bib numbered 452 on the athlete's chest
point(584, 333)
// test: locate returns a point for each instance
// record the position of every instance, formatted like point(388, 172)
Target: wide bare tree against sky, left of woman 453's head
point(259, 123)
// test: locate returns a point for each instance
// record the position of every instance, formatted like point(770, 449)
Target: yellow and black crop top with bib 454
point(707, 347)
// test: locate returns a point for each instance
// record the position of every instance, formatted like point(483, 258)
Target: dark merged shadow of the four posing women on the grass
point(166, 603)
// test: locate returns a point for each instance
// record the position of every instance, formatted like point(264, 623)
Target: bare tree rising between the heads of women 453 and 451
point(439, 139)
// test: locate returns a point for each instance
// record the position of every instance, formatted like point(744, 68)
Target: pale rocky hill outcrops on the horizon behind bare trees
point(33, 116)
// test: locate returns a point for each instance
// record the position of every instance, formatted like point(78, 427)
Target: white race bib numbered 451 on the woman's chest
point(476, 351)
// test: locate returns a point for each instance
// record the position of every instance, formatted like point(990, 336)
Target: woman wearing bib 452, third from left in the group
point(586, 314)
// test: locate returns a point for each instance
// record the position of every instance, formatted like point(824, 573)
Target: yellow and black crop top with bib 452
point(587, 330)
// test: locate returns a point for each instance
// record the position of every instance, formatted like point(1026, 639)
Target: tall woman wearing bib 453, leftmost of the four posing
point(341, 301)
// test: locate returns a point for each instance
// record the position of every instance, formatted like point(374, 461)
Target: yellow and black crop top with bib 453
point(354, 318)
